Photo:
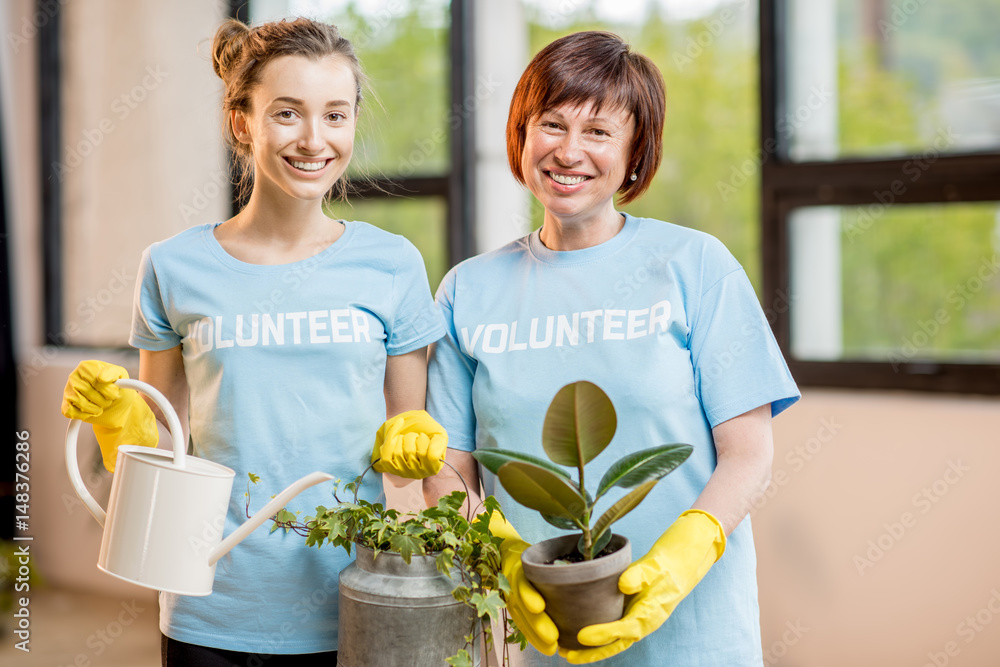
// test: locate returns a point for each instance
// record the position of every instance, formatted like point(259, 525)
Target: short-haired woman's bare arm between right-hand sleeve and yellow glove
point(745, 448)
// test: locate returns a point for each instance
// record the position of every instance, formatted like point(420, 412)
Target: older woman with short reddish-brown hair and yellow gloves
point(662, 317)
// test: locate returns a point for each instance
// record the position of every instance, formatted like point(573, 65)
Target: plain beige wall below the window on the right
point(880, 535)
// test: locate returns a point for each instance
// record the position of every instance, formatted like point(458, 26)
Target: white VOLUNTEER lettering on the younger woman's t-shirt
point(314, 327)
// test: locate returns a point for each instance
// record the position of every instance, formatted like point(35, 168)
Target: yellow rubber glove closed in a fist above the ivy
point(411, 445)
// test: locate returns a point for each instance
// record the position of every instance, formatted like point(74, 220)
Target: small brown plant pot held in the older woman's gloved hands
point(577, 594)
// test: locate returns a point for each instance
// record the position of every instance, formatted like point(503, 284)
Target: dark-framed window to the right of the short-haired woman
point(881, 191)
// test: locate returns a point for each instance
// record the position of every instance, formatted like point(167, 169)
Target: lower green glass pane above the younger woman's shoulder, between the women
point(421, 220)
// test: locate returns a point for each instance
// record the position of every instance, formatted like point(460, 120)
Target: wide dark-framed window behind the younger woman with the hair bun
point(153, 93)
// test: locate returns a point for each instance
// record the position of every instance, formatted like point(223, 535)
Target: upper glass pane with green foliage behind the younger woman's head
point(403, 47)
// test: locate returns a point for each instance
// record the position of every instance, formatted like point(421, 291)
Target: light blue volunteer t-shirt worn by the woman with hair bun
point(285, 367)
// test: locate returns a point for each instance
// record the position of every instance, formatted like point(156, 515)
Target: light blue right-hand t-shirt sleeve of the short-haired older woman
point(737, 363)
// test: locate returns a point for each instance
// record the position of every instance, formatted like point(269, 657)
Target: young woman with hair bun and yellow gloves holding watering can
point(283, 338)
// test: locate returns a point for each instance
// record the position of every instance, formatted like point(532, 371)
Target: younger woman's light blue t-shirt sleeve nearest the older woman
point(416, 321)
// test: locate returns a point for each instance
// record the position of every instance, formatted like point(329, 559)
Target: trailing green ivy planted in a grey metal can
point(410, 562)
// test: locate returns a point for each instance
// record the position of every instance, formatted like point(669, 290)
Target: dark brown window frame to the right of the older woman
point(787, 185)
